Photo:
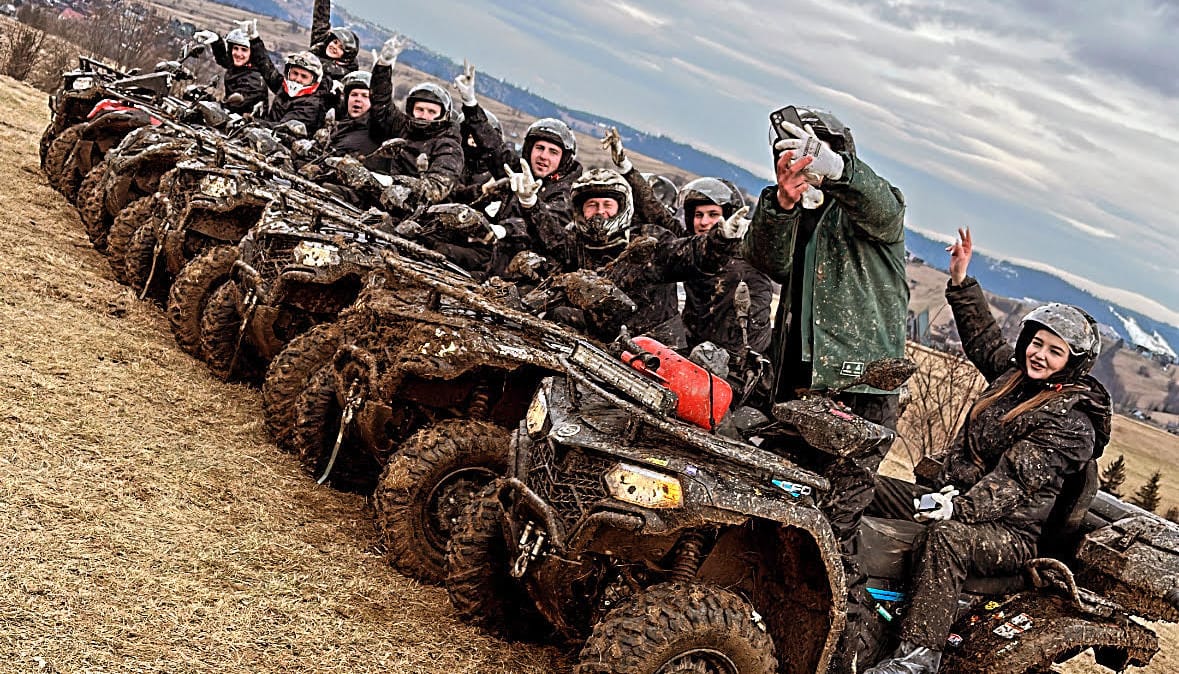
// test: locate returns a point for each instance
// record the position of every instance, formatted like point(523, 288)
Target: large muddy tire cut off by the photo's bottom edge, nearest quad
point(674, 627)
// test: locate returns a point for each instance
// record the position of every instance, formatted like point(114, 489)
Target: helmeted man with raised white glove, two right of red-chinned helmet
point(431, 161)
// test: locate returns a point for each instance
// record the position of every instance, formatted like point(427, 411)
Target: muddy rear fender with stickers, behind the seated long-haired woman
point(1031, 631)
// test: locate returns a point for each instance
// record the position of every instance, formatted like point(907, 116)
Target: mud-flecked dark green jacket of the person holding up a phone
point(854, 283)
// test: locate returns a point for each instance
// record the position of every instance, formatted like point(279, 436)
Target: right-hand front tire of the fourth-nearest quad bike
point(192, 290)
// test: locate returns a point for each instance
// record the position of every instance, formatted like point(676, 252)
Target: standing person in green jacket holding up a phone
point(844, 303)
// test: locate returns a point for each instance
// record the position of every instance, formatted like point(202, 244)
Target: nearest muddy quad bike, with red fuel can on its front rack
point(671, 549)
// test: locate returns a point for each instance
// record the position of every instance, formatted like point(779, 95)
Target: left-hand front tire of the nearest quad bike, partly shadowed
point(478, 578)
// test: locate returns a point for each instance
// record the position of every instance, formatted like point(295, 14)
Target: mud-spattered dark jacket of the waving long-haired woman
point(1011, 473)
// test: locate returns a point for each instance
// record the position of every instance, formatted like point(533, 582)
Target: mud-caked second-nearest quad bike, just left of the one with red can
point(423, 393)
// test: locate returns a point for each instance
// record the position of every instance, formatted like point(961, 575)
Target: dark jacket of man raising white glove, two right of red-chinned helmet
point(439, 143)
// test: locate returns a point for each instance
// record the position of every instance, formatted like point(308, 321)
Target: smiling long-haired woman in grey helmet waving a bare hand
point(1042, 419)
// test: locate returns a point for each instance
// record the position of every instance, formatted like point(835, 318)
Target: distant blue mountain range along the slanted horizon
point(997, 276)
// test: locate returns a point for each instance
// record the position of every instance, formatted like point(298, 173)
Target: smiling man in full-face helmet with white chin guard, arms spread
point(644, 261)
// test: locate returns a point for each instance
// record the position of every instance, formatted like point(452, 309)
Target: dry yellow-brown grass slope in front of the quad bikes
point(148, 524)
